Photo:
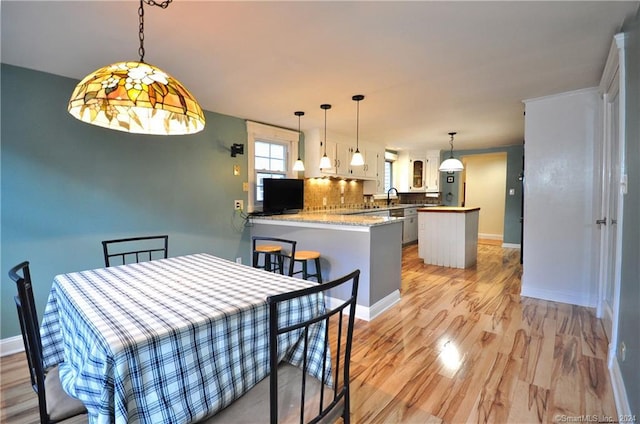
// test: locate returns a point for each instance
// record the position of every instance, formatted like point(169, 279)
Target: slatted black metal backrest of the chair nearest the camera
point(336, 321)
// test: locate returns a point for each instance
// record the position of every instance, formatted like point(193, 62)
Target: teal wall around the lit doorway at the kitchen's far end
point(512, 207)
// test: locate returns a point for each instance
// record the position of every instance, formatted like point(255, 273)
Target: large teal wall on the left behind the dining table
point(67, 185)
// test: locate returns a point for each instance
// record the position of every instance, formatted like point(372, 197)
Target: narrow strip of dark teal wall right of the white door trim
point(630, 276)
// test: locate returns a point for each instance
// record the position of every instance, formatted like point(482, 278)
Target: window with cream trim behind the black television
point(271, 154)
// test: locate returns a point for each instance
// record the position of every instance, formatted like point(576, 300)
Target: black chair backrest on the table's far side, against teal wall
point(135, 249)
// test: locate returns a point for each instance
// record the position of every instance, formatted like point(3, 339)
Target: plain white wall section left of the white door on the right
point(559, 219)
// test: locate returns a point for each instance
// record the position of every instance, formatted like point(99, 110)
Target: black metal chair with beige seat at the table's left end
point(54, 404)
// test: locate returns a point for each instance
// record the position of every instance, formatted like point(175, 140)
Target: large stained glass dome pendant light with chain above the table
point(137, 97)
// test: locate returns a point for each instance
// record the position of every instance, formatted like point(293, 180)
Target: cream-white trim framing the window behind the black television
point(269, 133)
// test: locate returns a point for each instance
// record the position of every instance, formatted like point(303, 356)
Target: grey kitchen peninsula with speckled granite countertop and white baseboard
point(372, 244)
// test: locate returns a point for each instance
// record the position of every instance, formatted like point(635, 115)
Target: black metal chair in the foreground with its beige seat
point(290, 394)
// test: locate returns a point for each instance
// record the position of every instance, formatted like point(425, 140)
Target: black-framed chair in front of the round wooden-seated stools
point(278, 254)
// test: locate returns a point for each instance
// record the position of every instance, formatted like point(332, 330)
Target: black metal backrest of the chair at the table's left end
point(30, 328)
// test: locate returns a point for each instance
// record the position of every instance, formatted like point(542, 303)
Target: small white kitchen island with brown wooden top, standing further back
point(448, 236)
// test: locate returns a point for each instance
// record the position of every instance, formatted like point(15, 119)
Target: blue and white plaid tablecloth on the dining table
point(166, 341)
